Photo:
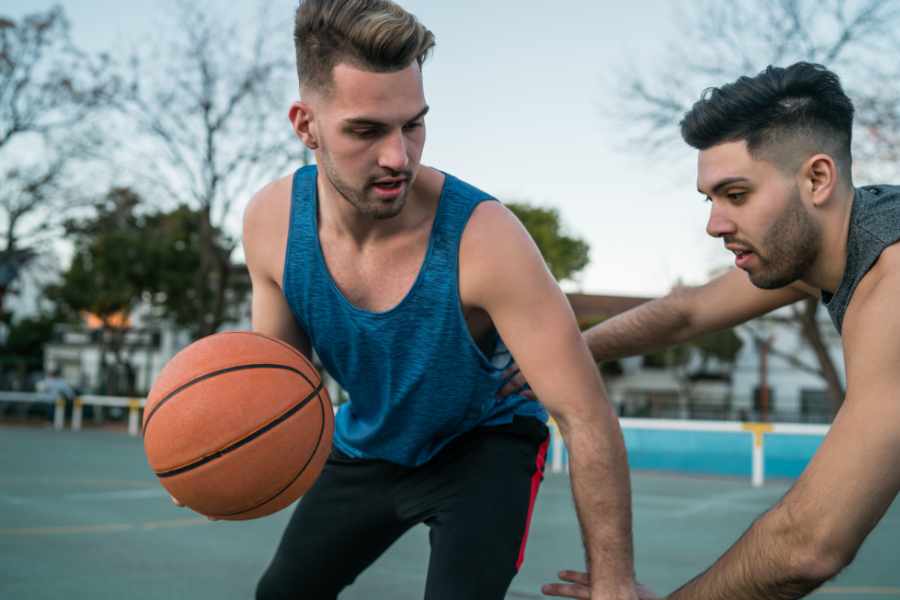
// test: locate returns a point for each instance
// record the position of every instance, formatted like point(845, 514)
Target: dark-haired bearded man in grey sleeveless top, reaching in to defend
point(775, 165)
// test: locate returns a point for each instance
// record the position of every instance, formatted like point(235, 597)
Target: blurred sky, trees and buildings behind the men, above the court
point(132, 136)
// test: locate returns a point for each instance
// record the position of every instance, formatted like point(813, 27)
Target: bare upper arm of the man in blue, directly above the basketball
point(265, 241)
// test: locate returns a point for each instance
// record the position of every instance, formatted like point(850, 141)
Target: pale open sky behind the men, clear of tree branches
point(519, 93)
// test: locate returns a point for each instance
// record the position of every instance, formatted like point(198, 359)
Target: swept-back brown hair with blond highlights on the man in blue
point(374, 35)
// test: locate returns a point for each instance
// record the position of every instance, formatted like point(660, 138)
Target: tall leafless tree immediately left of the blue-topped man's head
point(210, 110)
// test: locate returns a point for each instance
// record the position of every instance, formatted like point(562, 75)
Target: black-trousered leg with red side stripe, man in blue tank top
point(478, 536)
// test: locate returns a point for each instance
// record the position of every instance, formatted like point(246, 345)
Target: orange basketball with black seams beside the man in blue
point(237, 425)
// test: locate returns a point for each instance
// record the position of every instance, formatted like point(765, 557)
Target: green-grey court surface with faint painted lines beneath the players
point(81, 516)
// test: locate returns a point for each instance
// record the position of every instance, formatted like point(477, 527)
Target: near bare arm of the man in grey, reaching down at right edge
point(817, 528)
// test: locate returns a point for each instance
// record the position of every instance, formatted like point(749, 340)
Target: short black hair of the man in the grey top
point(785, 115)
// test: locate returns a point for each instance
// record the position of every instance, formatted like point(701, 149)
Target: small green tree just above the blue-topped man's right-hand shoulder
point(565, 255)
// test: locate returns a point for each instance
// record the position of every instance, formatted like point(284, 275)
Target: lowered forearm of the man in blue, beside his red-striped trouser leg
point(602, 492)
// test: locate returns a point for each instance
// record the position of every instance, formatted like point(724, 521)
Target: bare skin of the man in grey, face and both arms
point(816, 529)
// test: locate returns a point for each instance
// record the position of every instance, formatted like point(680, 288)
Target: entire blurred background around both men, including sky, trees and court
point(133, 134)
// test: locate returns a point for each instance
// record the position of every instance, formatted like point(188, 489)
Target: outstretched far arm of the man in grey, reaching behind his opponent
point(685, 313)
